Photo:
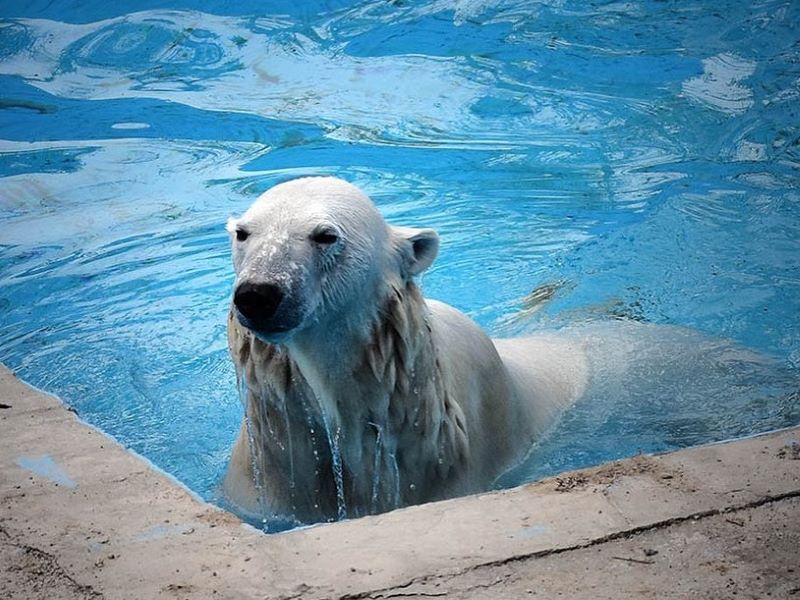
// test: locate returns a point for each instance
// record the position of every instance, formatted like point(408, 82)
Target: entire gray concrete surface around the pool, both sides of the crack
point(80, 517)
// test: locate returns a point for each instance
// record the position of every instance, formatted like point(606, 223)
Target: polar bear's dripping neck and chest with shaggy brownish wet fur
point(391, 428)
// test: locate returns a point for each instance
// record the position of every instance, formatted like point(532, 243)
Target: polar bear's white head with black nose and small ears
point(315, 251)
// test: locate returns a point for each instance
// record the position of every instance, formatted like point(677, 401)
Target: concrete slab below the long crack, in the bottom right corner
point(754, 547)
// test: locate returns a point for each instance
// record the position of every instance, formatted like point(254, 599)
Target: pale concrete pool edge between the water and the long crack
point(101, 522)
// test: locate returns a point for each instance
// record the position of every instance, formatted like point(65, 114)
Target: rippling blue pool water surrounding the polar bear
point(638, 159)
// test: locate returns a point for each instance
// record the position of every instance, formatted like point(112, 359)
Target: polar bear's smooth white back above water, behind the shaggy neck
point(510, 390)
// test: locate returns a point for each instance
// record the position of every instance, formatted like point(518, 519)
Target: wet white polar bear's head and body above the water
point(361, 395)
